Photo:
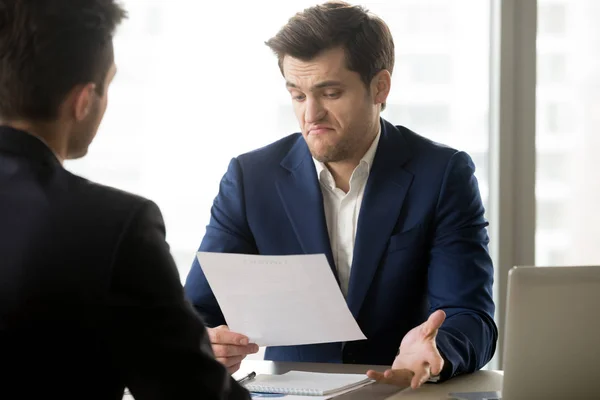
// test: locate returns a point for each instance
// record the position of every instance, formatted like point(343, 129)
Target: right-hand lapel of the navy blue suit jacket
point(384, 195)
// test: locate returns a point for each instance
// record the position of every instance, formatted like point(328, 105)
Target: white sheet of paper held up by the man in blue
point(280, 300)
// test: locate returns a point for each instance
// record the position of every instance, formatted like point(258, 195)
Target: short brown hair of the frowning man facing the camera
point(365, 37)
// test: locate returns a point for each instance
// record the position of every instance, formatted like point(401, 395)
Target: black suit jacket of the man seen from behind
point(90, 298)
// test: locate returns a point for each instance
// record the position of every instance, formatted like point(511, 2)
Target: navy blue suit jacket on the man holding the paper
point(421, 245)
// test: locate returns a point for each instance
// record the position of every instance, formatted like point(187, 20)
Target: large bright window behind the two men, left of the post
point(196, 86)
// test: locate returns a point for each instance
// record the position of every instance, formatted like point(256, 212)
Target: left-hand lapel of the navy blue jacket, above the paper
point(301, 194)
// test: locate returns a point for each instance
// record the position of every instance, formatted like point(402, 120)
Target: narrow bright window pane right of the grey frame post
point(568, 133)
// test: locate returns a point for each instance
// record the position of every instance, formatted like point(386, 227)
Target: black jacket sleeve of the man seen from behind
point(160, 345)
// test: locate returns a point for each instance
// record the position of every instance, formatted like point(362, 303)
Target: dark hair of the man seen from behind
point(47, 47)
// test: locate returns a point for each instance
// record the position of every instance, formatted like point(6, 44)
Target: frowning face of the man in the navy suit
point(336, 111)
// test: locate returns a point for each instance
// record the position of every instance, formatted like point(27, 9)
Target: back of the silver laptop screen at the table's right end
point(552, 333)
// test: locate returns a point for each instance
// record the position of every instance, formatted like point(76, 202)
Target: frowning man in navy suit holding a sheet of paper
point(398, 216)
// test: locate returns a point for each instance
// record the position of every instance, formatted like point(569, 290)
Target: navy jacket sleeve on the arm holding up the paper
point(227, 232)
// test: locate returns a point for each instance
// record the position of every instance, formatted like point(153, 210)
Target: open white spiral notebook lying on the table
point(306, 383)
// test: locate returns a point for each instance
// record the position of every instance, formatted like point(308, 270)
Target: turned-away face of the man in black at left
point(85, 130)
